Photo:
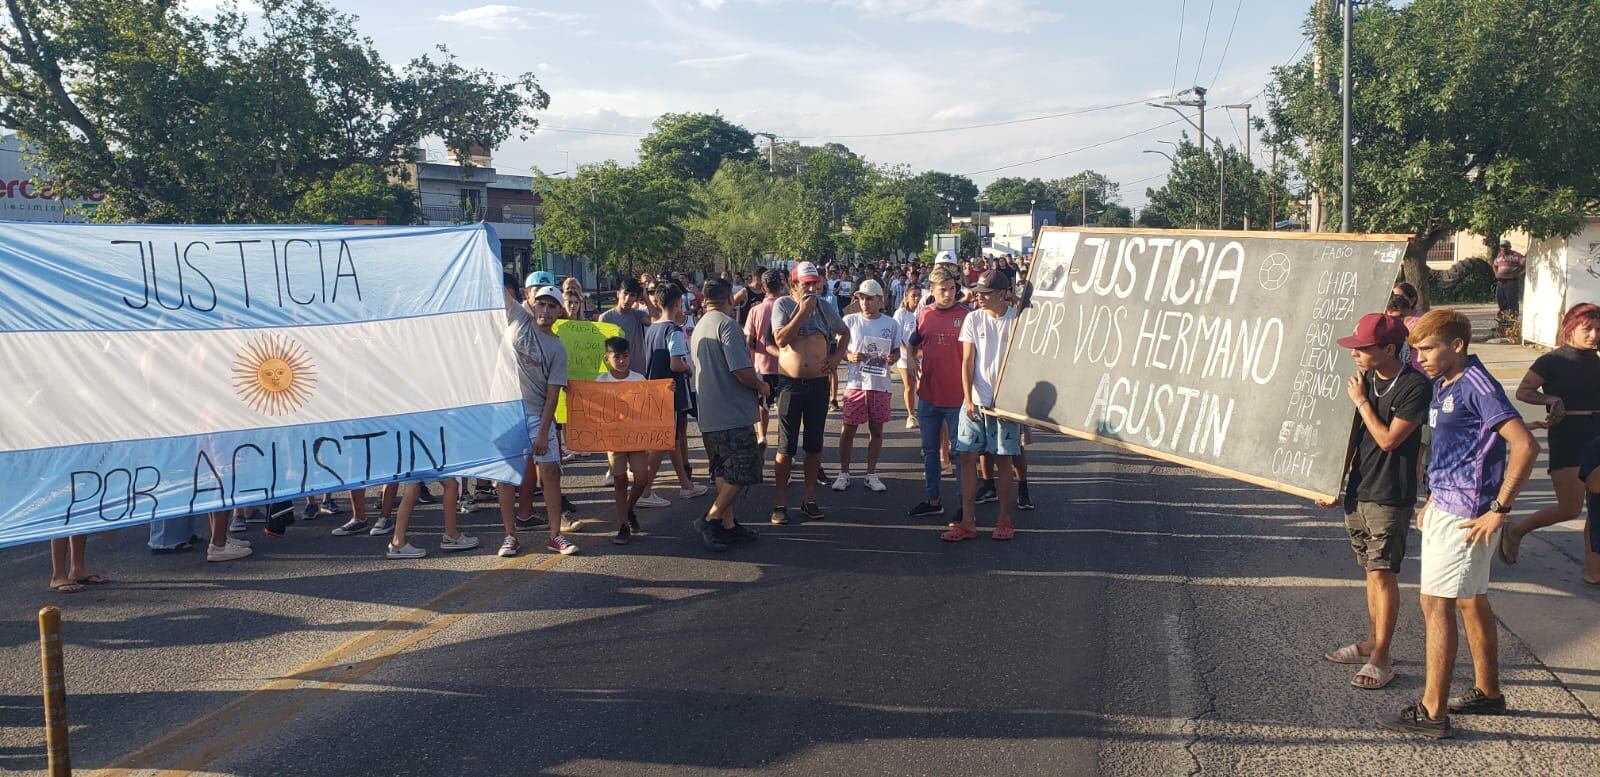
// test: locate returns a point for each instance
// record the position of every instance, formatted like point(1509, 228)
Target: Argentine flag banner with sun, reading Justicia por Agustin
point(158, 372)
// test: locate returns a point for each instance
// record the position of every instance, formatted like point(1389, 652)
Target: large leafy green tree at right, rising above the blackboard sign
point(1468, 114)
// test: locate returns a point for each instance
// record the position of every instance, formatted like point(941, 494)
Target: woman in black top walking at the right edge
point(1567, 383)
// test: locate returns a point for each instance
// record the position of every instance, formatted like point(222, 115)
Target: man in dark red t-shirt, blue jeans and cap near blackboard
point(940, 394)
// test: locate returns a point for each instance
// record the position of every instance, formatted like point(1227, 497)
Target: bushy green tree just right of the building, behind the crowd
point(623, 218)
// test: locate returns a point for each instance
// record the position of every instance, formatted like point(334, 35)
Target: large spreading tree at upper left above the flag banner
point(180, 119)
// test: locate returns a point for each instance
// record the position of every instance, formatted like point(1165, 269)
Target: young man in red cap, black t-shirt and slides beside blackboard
point(1380, 498)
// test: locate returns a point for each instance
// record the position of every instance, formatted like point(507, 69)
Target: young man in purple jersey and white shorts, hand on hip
point(1482, 458)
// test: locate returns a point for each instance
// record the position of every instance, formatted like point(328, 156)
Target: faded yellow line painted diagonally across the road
point(254, 714)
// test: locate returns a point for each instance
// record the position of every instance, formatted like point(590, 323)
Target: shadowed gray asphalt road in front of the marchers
point(1148, 620)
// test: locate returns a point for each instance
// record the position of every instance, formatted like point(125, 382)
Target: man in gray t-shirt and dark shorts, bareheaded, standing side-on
point(729, 394)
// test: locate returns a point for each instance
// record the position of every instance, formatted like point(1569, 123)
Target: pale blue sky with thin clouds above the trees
point(850, 71)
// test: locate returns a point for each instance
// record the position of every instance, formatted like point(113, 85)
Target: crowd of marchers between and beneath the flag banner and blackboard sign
point(740, 353)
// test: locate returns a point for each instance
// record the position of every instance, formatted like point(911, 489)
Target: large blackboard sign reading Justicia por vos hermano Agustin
point(1209, 349)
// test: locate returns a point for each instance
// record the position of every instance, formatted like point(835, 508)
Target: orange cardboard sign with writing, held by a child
point(620, 416)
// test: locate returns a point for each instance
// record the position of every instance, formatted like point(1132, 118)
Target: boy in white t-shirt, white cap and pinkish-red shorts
point(874, 346)
